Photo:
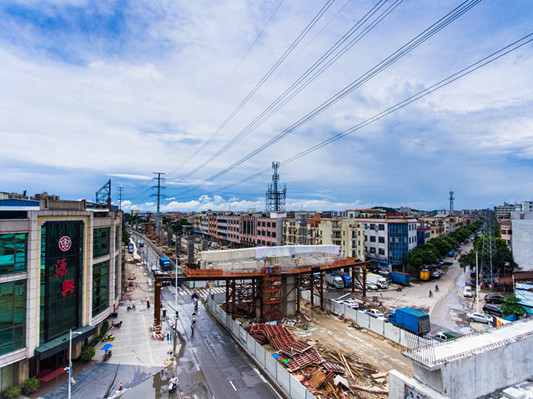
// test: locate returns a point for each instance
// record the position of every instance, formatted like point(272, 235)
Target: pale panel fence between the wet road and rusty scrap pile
point(277, 373)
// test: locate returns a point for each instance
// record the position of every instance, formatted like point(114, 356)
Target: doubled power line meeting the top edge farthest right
point(398, 54)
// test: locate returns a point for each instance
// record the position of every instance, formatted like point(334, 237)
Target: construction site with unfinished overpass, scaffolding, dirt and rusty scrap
point(269, 291)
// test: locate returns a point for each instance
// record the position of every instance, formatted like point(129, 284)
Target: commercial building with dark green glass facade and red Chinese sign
point(60, 270)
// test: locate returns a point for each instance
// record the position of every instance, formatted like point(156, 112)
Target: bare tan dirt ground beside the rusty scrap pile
point(368, 352)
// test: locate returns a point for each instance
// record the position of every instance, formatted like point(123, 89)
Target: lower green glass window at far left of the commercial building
point(12, 316)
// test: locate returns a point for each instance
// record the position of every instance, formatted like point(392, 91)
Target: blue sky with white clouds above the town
point(210, 93)
